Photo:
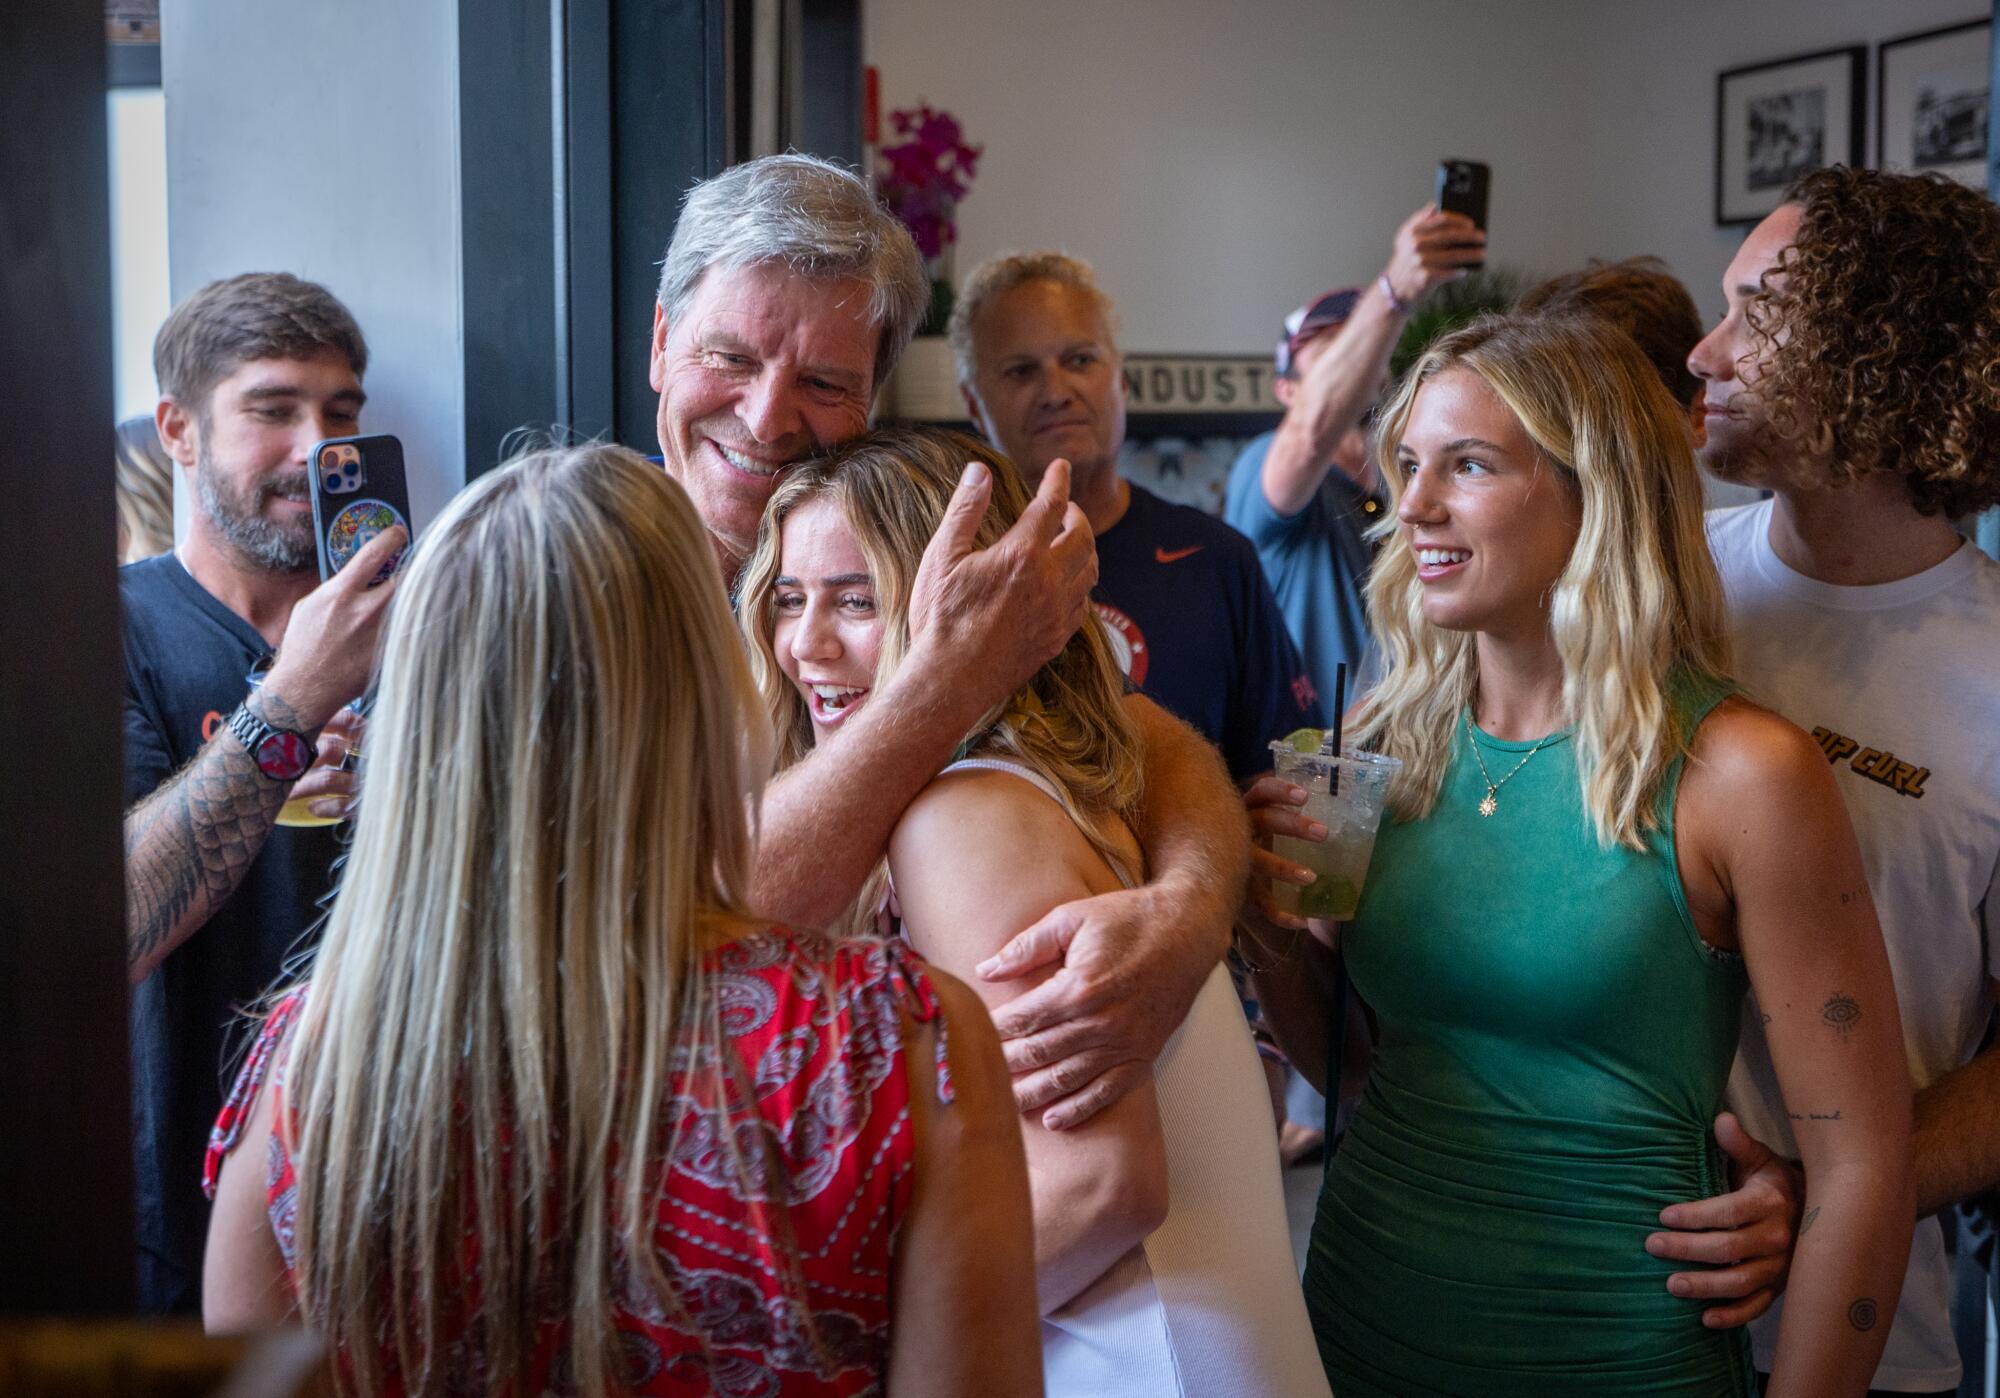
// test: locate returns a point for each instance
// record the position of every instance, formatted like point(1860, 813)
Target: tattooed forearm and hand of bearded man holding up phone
point(191, 843)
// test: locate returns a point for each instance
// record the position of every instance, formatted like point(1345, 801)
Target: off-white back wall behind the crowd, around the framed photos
point(1223, 163)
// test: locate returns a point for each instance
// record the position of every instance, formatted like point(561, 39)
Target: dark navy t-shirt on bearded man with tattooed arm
point(187, 659)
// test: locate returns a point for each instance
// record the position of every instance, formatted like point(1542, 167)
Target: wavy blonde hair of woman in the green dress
point(1637, 603)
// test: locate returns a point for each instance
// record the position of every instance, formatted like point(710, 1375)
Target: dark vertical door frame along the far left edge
point(67, 1163)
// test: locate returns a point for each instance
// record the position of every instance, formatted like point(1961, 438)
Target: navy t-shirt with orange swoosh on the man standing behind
point(1197, 629)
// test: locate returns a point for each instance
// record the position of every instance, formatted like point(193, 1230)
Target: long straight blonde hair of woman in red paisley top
point(561, 765)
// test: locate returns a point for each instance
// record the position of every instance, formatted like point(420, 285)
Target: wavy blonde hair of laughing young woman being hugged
point(1067, 723)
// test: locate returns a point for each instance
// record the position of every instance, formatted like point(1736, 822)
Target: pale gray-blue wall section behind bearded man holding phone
point(345, 181)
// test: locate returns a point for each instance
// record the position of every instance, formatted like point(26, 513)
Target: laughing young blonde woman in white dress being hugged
point(1163, 1263)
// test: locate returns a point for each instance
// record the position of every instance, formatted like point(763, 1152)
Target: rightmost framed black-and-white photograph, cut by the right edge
point(1931, 103)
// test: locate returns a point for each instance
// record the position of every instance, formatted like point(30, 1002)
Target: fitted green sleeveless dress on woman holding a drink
point(1553, 1045)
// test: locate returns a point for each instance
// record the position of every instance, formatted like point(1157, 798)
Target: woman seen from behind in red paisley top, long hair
point(555, 1113)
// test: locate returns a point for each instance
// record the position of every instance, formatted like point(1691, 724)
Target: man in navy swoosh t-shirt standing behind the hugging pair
point(1181, 593)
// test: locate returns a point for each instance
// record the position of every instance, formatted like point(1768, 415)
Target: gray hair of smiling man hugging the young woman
point(815, 217)
